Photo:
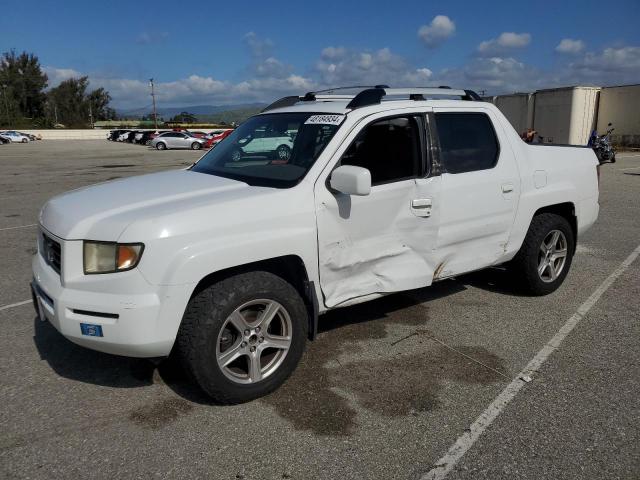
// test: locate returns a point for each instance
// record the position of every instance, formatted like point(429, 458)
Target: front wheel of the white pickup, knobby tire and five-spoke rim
point(207, 333)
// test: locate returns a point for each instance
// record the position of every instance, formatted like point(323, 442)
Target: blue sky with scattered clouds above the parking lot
point(240, 52)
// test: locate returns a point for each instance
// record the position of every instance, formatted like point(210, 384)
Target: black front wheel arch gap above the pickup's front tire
point(290, 268)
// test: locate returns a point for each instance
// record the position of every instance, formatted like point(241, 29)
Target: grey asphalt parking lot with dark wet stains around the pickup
point(383, 393)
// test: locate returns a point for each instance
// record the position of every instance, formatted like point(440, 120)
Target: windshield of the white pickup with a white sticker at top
point(272, 150)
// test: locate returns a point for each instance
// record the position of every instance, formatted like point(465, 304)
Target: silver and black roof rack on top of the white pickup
point(374, 95)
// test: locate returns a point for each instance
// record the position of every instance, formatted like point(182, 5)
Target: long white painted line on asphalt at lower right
point(464, 442)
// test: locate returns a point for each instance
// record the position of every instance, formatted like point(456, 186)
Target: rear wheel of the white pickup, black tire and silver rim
point(544, 259)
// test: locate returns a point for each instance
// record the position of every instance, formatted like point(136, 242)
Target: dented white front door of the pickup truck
point(382, 242)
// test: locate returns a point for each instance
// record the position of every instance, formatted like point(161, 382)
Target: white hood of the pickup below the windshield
point(103, 211)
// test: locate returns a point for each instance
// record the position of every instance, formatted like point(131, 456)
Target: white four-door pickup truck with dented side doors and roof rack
point(228, 264)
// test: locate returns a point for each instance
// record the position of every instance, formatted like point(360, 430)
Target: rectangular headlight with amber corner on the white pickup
point(109, 257)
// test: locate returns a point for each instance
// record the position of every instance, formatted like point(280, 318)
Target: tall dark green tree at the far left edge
point(22, 82)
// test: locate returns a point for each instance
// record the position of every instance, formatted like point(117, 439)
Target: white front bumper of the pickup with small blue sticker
point(143, 323)
